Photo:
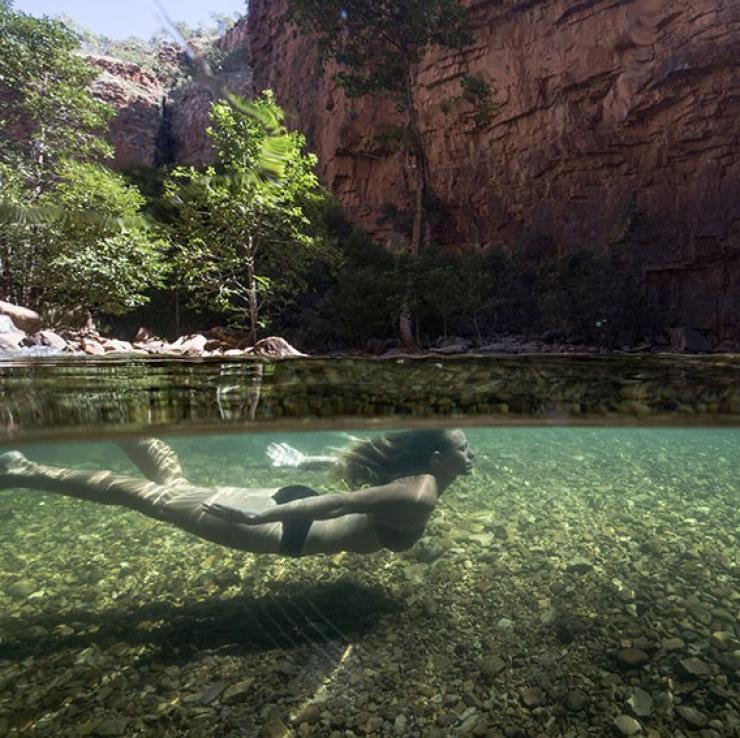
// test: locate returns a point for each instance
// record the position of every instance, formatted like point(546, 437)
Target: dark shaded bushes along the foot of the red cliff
point(586, 296)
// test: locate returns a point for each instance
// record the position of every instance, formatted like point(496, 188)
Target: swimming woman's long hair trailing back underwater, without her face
point(391, 456)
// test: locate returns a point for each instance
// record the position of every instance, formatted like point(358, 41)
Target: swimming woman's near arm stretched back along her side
point(422, 492)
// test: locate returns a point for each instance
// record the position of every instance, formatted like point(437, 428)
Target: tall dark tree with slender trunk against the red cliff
point(378, 46)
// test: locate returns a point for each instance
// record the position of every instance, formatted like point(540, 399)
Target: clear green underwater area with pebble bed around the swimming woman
point(580, 582)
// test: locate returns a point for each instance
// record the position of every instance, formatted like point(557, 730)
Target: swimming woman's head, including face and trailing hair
point(394, 455)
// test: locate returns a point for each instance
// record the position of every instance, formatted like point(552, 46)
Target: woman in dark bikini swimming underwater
point(407, 472)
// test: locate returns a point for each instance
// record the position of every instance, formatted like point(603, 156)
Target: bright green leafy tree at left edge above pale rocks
point(70, 231)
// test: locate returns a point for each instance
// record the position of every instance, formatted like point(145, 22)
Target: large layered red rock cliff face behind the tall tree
point(610, 120)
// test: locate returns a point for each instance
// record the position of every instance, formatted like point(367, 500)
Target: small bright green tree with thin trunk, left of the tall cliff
point(243, 241)
